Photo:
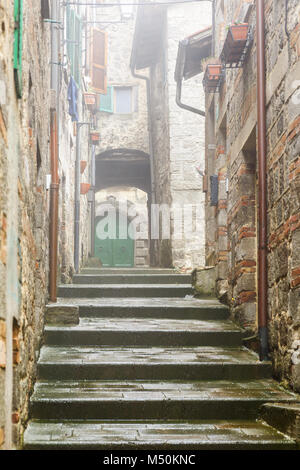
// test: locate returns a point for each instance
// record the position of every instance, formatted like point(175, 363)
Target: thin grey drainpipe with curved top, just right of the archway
point(153, 196)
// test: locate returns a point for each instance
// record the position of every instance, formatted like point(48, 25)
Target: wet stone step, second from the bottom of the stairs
point(153, 400)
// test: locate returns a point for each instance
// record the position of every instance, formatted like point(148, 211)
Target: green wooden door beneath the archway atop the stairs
point(114, 252)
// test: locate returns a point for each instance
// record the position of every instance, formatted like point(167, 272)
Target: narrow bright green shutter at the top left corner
point(18, 39)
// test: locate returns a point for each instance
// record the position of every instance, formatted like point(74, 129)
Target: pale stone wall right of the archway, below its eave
point(179, 137)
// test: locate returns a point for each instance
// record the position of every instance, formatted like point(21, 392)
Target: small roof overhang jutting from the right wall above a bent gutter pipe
point(191, 51)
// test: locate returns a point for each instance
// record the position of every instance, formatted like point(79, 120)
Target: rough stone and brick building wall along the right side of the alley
point(231, 154)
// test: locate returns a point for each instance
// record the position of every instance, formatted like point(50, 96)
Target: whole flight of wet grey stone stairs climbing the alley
point(149, 368)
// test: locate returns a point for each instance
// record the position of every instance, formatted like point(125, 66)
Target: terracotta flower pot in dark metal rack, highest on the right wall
point(235, 45)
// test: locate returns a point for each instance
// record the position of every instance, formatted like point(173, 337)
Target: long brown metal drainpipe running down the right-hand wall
point(262, 182)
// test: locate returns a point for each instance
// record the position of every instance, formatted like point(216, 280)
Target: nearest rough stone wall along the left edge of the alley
point(24, 216)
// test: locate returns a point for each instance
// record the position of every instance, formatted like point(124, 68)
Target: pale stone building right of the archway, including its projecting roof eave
point(177, 135)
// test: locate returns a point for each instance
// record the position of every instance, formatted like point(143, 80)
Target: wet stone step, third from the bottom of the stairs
point(134, 363)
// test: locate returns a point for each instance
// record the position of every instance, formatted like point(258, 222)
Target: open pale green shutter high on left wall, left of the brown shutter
point(74, 43)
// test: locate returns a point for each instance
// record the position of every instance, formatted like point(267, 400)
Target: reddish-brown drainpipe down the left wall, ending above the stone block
point(54, 188)
